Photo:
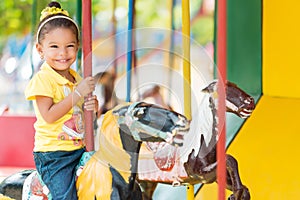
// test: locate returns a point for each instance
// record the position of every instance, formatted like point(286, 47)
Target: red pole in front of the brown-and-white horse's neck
point(221, 63)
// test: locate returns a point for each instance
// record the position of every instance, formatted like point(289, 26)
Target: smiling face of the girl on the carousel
point(59, 48)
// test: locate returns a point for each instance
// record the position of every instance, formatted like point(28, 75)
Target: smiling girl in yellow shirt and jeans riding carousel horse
point(57, 92)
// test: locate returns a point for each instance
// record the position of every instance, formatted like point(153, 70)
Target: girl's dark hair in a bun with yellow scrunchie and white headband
point(53, 16)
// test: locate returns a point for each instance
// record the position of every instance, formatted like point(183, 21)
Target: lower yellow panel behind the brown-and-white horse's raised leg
point(267, 149)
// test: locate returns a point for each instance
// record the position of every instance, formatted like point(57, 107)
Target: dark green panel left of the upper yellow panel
point(244, 45)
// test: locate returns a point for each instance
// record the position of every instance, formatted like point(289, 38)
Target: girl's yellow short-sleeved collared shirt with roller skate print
point(51, 136)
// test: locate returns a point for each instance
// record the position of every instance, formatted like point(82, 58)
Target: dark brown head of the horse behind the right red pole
point(237, 100)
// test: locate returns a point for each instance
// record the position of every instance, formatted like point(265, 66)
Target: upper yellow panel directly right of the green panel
point(281, 52)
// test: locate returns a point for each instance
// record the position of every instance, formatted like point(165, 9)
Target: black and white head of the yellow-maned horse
point(152, 123)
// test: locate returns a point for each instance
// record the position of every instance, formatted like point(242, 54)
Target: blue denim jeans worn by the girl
point(57, 170)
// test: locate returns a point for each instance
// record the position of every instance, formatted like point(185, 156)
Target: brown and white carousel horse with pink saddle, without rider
point(195, 162)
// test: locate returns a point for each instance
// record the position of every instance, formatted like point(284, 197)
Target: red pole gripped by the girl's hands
point(87, 67)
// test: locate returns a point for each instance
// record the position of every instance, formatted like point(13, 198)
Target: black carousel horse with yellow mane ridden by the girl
point(110, 172)
